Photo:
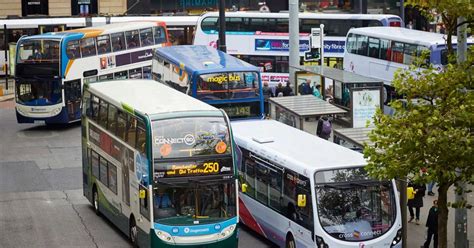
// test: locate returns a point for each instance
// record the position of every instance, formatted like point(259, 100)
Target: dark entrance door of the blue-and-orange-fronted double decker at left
point(72, 95)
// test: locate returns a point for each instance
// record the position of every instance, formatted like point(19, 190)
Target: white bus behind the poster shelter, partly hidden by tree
point(378, 52)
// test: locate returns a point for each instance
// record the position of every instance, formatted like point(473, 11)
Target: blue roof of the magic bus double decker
point(203, 59)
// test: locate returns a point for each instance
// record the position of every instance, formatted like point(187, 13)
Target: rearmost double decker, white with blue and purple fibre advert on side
point(262, 39)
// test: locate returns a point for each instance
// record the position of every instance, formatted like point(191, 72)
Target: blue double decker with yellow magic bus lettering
point(211, 76)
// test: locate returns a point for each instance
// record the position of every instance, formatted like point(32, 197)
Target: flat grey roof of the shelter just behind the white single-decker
point(306, 106)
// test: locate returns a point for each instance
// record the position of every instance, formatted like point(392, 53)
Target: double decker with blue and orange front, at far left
point(51, 68)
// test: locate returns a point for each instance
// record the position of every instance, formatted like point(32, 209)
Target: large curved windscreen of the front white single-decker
point(352, 206)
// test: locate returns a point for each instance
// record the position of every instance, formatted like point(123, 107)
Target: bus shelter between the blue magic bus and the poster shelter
point(295, 110)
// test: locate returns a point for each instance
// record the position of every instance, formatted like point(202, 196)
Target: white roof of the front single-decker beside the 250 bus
point(293, 148)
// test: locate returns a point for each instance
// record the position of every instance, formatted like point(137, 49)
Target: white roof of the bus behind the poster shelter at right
point(403, 35)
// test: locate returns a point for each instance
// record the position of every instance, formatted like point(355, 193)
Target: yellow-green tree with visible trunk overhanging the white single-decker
point(432, 128)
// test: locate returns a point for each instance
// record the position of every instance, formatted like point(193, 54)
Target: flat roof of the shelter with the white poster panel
point(342, 76)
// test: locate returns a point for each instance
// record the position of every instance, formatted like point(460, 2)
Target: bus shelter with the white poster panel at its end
point(357, 94)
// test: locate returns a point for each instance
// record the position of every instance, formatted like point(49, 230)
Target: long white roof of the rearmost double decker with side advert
point(304, 15)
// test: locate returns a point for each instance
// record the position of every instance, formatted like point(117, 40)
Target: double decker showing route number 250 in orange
point(159, 165)
